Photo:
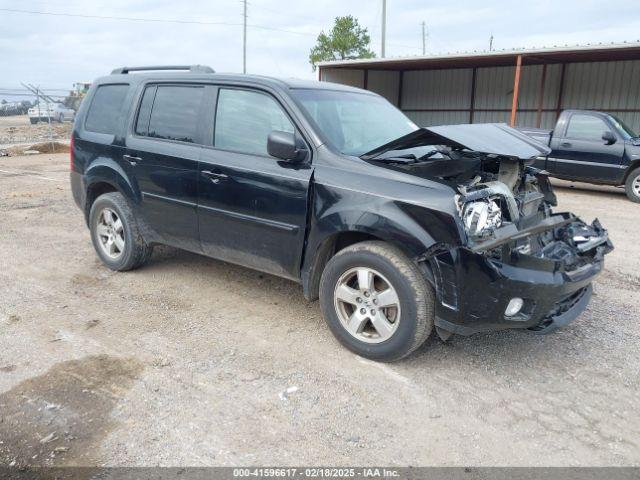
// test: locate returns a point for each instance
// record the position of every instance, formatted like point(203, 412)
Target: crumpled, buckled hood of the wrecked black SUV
point(488, 138)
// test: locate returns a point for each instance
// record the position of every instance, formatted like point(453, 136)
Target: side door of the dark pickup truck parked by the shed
point(580, 153)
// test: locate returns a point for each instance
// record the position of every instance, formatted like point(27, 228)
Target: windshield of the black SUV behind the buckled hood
point(355, 123)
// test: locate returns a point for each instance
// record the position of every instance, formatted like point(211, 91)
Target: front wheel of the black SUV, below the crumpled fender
point(409, 323)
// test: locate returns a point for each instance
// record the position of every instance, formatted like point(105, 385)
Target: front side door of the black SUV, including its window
point(252, 207)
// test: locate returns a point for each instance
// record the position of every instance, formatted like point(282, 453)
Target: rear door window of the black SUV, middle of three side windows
point(174, 114)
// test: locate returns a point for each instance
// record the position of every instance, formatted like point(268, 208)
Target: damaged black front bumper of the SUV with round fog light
point(474, 288)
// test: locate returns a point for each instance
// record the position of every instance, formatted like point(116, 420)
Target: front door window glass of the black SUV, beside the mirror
point(244, 120)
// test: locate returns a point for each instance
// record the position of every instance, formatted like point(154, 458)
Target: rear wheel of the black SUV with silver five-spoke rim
point(131, 251)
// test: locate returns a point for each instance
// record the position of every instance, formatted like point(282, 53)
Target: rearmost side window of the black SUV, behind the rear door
point(105, 112)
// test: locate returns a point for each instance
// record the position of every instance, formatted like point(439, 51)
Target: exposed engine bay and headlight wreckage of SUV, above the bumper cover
point(508, 203)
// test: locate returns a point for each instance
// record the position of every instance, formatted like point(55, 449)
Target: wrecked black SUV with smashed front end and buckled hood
point(397, 229)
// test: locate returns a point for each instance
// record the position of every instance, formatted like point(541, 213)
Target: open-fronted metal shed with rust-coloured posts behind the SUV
point(521, 87)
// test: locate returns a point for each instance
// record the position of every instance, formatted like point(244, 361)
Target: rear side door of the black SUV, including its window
point(163, 152)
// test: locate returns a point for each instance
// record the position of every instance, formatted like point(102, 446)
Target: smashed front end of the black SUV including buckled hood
point(519, 265)
